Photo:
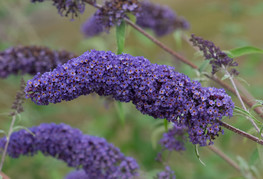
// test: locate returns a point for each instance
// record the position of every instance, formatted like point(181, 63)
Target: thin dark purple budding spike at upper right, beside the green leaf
point(218, 59)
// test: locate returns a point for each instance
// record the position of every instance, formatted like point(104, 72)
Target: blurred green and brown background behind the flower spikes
point(228, 23)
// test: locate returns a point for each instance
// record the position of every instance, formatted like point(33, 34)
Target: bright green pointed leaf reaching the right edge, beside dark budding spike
point(237, 52)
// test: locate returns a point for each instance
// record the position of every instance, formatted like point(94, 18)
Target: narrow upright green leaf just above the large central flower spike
point(120, 37)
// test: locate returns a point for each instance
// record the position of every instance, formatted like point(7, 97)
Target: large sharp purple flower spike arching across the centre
point(156, 90)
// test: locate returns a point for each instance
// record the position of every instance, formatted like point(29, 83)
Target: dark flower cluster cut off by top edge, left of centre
point(66, 7)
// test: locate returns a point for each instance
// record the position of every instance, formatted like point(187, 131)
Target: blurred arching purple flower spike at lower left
point(95, 155)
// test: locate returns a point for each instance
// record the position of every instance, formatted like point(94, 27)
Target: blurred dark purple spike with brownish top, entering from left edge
point(31, 60)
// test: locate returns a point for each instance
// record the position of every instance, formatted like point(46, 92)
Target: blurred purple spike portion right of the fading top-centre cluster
point(161, 19)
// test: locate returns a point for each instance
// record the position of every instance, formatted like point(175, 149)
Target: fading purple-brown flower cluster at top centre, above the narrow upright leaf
point(113, 12)
